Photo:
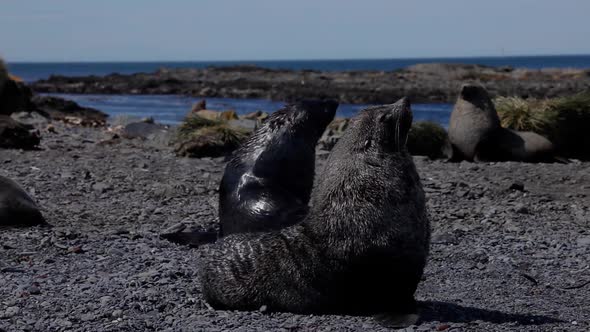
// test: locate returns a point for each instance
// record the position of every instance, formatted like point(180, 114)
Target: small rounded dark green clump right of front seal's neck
point(427, 139)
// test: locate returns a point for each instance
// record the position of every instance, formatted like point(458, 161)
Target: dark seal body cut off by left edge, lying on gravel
point(17, 208)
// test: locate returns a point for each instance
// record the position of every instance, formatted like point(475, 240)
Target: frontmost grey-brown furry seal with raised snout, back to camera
point(362, 247)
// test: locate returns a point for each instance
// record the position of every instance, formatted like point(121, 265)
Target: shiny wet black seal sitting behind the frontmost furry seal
point(268, 181)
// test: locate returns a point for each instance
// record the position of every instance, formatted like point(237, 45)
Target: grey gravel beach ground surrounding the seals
point(503, 257)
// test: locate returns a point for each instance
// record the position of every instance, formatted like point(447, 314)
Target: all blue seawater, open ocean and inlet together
point(172, 109)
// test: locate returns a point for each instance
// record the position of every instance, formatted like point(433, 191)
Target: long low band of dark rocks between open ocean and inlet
point(421, 83)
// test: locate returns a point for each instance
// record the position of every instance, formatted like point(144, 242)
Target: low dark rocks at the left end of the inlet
point(69, 112)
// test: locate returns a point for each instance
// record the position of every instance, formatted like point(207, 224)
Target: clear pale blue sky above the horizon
point(143, 30)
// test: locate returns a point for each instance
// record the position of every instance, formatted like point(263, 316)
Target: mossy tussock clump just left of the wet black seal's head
point(199, 137)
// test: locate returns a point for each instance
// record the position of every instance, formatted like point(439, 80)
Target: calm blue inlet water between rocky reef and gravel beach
point(171, 109)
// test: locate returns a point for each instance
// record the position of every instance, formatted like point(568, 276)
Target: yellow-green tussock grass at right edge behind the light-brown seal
point(565, 120)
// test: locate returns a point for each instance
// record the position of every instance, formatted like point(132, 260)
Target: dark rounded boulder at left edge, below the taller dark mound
point(15, 135)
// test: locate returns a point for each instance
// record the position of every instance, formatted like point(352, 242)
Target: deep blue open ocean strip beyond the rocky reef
point(35, 71)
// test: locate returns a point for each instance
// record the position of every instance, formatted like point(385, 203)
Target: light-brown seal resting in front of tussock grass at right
point(475, 132)
